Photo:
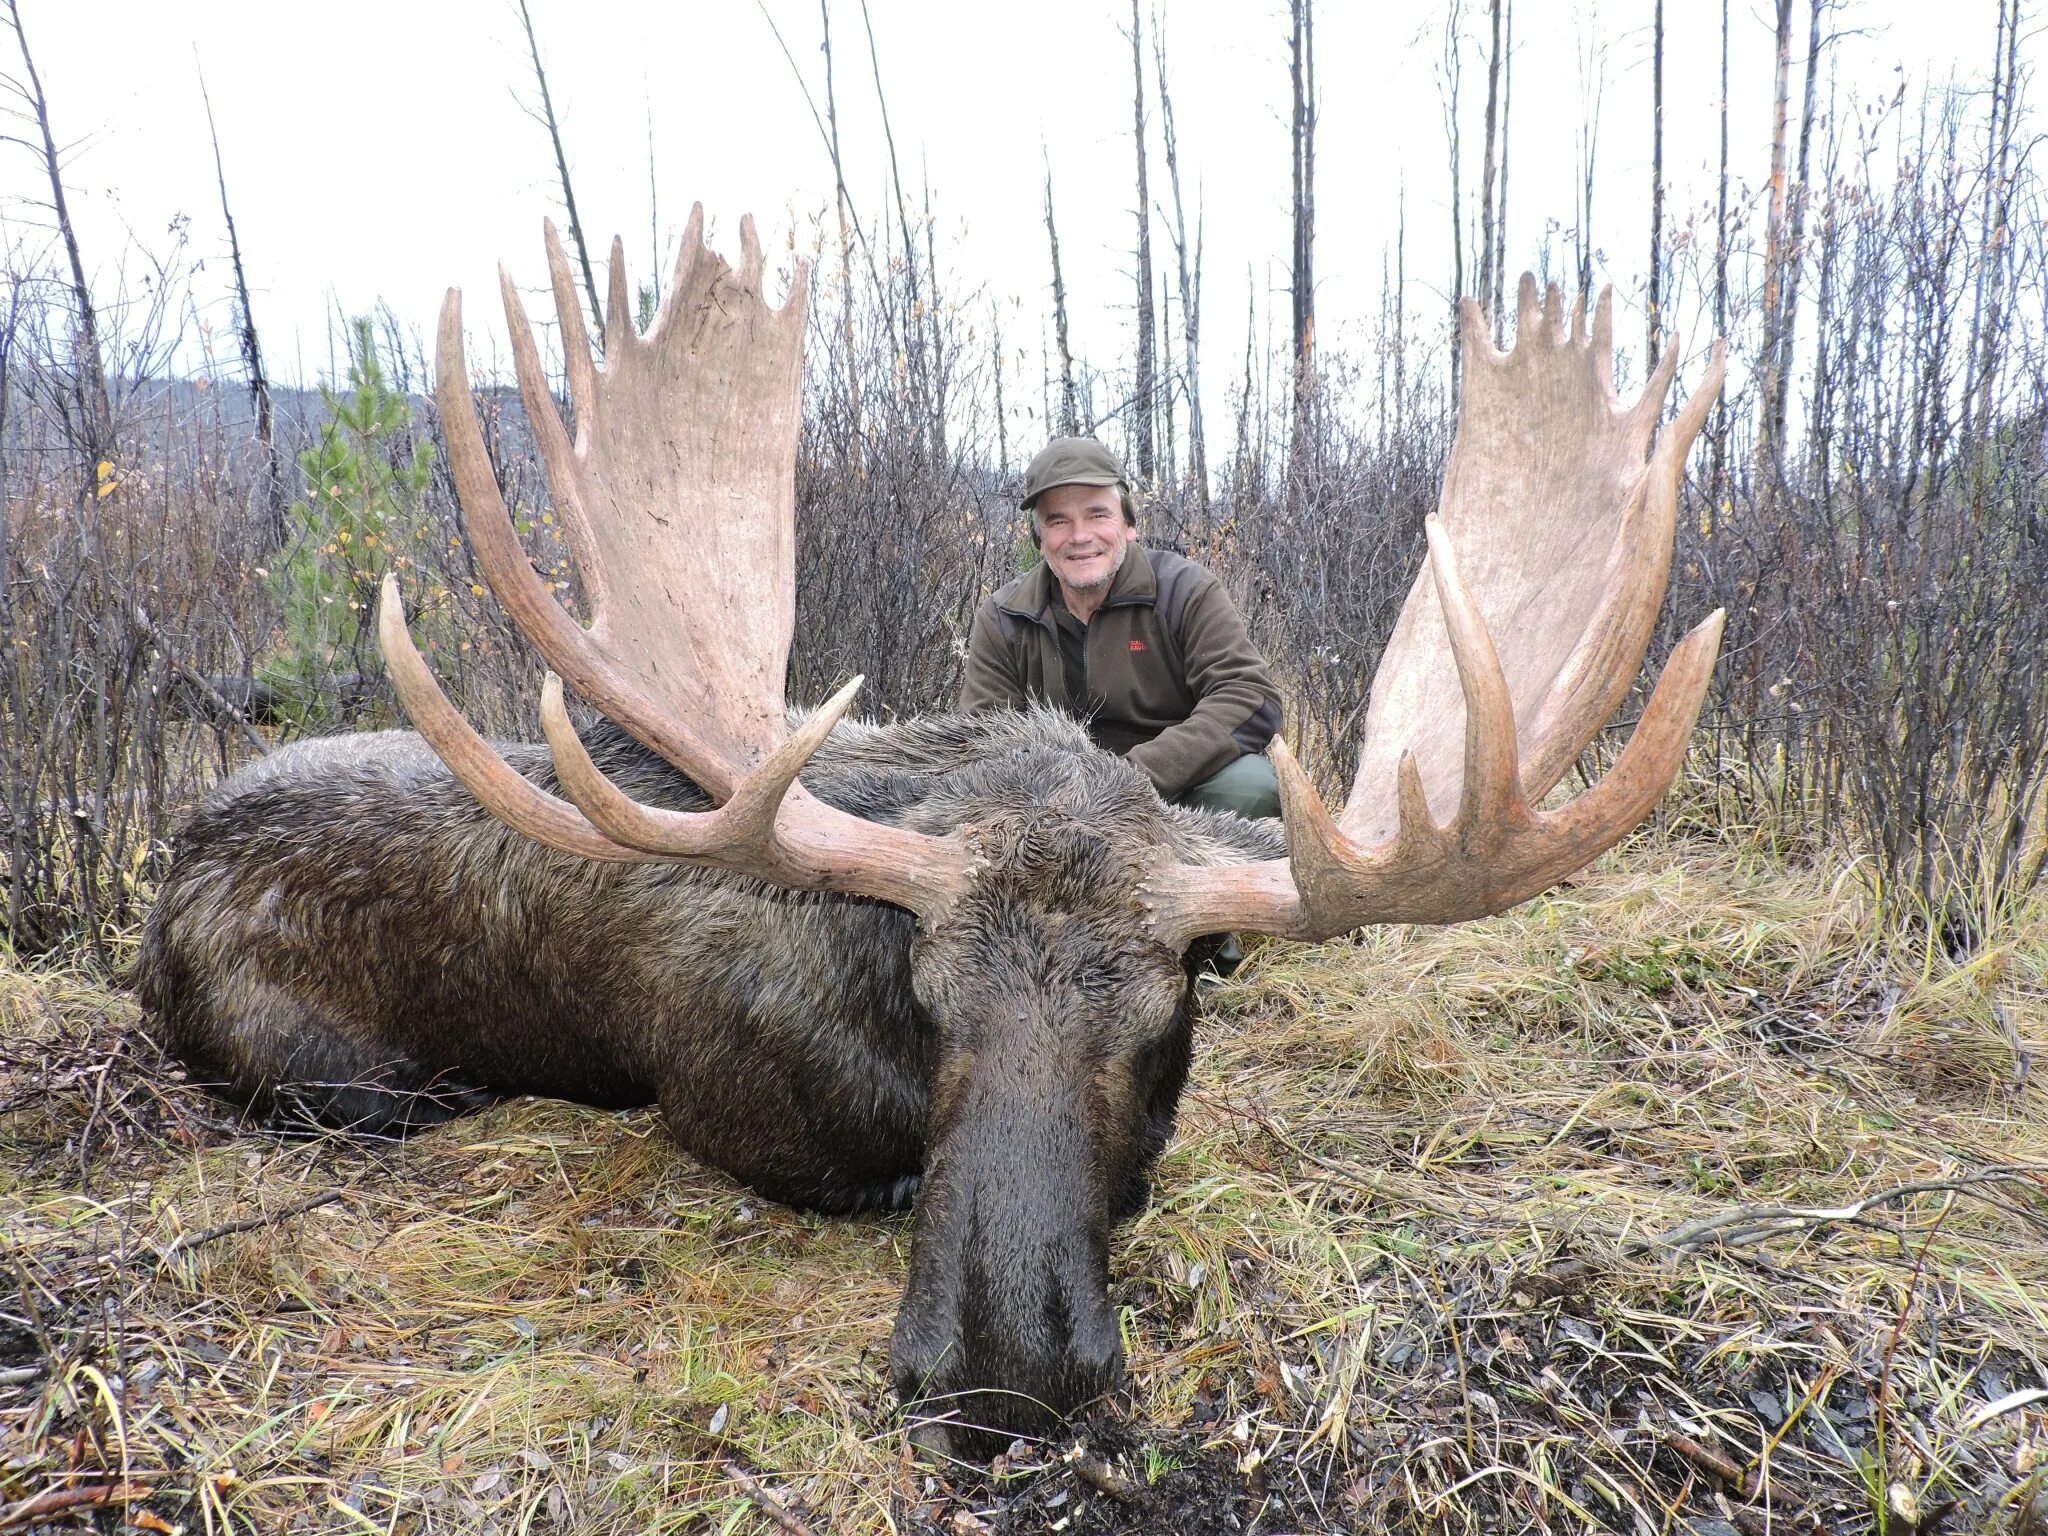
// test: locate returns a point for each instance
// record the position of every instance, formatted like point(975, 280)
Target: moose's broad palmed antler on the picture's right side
point(1547, 566)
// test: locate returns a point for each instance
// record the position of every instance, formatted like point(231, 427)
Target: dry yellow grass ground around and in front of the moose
point(1502, 1228)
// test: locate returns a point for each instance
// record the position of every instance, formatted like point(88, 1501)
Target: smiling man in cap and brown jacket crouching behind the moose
point(1144, 646)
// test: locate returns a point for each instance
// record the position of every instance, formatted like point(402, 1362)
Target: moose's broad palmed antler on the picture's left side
point(679, 501)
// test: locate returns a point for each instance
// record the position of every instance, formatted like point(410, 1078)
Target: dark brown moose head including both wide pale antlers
point(1054, 896)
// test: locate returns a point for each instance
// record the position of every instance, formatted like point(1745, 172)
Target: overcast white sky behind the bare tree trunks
point(382, 151)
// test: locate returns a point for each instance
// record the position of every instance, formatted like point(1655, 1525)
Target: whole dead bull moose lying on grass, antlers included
point(951, 966)
